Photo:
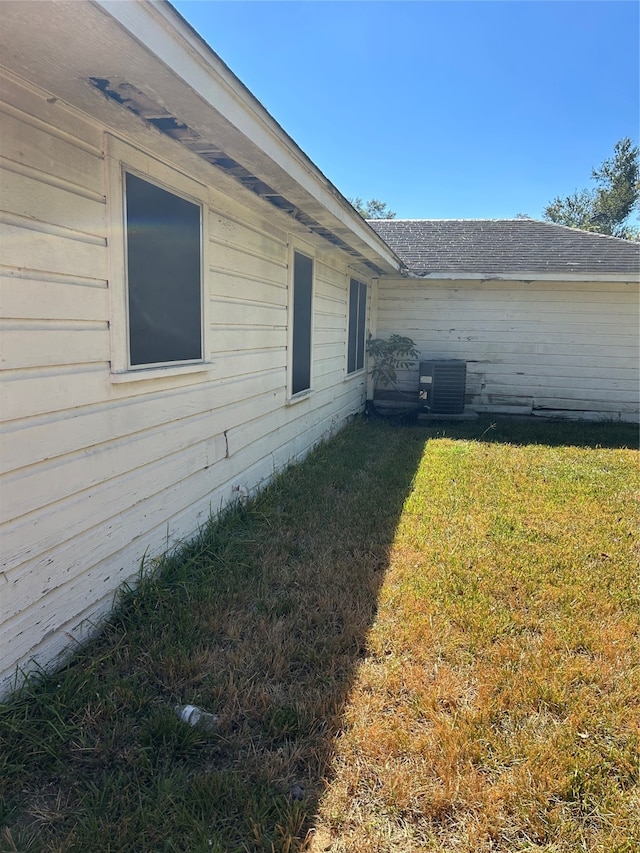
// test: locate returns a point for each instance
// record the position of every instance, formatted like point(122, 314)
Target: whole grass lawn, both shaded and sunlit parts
point(420, 639)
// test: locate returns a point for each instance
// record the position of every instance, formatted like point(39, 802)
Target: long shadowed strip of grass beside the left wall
point(263, 620)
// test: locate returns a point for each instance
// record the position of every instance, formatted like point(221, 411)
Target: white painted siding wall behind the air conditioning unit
point(550, 348)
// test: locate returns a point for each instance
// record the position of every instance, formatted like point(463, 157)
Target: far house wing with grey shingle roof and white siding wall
point(546, 317)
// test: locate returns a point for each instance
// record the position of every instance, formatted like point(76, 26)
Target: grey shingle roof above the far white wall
point(498, 246)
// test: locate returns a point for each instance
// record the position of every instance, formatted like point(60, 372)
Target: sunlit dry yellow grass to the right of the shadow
point(499, 705)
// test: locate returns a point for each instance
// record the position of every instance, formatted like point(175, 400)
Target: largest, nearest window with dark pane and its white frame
point(157, 267)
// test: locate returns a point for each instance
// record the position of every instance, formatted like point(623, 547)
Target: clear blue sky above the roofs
point(442, 109)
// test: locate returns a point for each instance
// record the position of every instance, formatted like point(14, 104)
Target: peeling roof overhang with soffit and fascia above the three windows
point(137, 67)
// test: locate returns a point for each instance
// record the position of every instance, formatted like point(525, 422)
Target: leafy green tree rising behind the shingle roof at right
point(607, 208)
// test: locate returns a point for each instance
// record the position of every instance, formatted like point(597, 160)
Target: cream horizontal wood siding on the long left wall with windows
point(96, 474)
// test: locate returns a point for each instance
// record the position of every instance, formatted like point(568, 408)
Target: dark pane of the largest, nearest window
point(164, 276)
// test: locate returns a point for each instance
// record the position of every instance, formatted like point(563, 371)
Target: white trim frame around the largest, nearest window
point(120, 158)
